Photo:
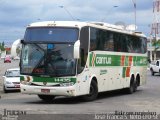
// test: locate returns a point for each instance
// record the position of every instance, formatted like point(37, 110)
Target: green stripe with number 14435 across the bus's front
point(53, 80)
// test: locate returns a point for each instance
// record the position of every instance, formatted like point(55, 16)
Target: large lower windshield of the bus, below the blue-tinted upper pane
point(48, 59)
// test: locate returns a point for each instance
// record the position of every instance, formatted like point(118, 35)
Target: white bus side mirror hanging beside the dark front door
point(76, 53)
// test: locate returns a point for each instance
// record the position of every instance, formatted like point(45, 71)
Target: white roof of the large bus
point(79, 24)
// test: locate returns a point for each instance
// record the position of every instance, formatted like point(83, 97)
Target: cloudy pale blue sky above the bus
point(15, 15)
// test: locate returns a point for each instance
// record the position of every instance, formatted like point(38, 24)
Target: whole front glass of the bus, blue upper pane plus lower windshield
point(49, 51)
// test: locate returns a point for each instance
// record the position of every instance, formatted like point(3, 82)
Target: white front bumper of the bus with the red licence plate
point(42, 90)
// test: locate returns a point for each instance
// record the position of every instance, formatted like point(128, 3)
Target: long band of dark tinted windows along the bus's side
point(113, 41)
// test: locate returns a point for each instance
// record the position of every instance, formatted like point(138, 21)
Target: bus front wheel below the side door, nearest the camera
point(93, 92)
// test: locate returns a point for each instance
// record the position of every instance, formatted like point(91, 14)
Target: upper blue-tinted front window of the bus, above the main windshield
point(51, 34)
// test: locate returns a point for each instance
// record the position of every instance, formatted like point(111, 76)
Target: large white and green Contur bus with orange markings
point(72, 58)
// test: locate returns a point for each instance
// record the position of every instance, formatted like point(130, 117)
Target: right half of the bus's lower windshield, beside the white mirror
point(60, 60)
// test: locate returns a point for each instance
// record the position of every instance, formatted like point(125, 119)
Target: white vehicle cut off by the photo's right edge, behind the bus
point(155, 67)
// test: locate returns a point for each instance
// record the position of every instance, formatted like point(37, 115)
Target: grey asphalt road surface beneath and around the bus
point(146, 99)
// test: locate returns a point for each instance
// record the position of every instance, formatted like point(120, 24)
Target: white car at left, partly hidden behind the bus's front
point(11, 80)
